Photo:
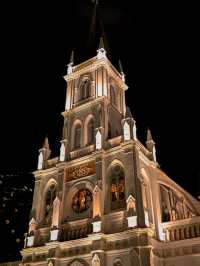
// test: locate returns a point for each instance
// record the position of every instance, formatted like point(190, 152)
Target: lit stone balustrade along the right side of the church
point(180, 230)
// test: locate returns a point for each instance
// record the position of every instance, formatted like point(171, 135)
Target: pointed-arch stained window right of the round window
point(117, 188)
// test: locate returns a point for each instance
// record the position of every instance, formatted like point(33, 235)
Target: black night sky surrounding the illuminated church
point(158, 46)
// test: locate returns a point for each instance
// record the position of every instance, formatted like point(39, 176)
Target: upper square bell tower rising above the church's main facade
point(96, 87)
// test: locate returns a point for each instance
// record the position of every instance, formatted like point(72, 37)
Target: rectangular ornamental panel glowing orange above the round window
point(80, 170)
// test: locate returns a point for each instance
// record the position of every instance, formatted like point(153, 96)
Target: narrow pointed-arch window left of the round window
point(49, 199)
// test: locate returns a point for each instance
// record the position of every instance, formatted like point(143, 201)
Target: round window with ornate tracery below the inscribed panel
point(81, 200)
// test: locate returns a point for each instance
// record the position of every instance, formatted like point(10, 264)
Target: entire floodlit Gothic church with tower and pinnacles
point(104, 200)
